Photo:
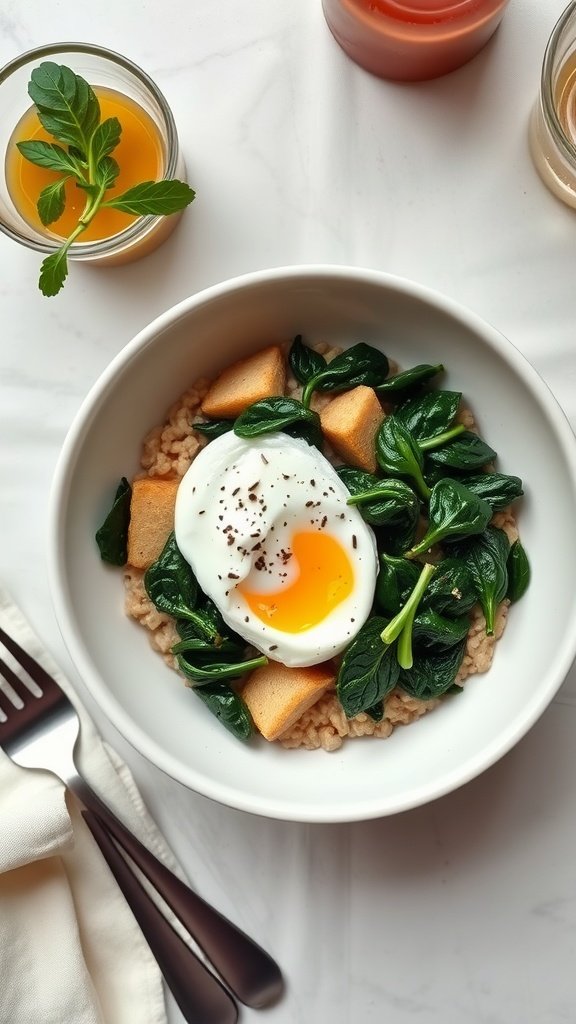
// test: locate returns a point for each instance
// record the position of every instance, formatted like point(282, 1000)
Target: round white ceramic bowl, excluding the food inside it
point(148, 703)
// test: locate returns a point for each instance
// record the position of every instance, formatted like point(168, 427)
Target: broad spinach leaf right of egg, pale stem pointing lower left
point(454, 511)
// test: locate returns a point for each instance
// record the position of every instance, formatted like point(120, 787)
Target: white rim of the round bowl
point(282, 809)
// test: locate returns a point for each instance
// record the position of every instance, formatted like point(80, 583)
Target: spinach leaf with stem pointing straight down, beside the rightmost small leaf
point(486, 558)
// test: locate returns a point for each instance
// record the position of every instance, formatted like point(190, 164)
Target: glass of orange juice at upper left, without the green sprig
point(148, 151)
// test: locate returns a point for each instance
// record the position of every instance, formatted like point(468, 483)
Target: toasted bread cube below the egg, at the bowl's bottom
point(277, 697)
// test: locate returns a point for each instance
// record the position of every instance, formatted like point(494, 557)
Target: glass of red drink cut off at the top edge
point(413, 40)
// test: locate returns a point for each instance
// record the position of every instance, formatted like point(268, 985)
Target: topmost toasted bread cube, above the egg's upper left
point(259, 376)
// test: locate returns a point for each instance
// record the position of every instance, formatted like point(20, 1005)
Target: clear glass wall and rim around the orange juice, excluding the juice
point(109, 71)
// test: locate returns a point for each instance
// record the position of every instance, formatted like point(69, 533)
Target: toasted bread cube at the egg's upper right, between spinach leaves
point(350, 423)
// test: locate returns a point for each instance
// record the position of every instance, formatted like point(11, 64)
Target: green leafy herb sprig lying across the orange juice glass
point(69, 110)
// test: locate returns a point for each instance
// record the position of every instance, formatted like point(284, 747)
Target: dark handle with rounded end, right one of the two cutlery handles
point(249, 971)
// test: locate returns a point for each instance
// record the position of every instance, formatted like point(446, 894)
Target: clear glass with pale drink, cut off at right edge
point(553, 123)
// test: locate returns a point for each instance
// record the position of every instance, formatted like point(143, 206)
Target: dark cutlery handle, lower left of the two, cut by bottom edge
point(198, 993)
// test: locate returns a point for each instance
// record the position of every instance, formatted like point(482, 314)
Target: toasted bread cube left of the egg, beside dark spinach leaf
point(152, 520)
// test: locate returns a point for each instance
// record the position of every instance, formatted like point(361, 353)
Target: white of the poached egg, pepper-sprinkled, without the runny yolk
point(237, 508)
